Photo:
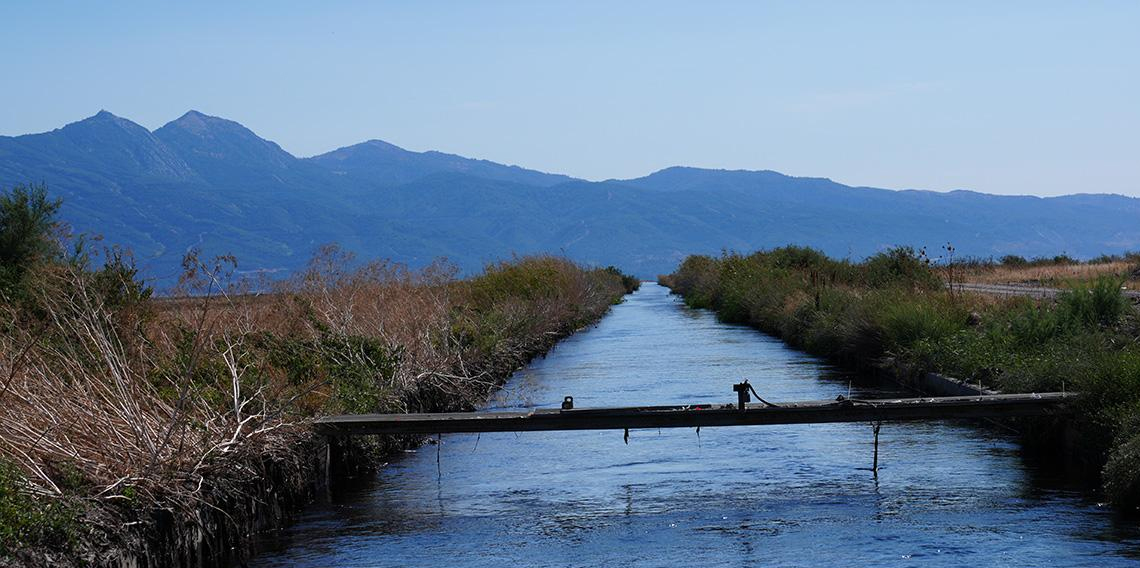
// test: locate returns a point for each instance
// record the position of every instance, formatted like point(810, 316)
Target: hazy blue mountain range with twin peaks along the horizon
point(211, 183)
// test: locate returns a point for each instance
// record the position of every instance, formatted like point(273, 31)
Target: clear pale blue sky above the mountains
point(1003, 98)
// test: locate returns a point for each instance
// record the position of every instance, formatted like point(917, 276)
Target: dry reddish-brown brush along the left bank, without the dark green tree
point(164, 403)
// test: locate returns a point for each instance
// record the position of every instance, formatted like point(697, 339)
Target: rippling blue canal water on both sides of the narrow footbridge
point(948, 493)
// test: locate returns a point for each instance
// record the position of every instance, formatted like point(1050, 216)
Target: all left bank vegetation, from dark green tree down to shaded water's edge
point(162, 432)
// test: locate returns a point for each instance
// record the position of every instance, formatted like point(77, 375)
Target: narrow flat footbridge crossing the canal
point(843, 410)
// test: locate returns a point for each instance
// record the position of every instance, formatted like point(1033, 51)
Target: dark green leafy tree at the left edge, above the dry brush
point(28, 221)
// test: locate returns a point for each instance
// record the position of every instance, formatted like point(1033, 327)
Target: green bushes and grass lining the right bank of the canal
point(894, 314)
